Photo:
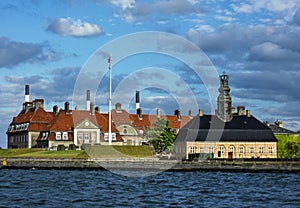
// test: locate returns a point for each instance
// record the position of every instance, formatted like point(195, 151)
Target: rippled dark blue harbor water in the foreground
point(100, 188)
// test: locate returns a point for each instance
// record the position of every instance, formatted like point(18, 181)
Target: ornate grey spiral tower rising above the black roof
point(224, 99)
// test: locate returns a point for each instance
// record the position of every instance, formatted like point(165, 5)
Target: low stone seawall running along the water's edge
point(152, 164)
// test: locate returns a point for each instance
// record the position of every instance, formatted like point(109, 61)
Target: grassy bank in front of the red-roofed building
point(93, 151)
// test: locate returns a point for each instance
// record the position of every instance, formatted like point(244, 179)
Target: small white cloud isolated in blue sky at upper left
point(75, 28)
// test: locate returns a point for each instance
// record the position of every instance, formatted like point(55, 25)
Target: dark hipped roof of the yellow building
point(211, 128)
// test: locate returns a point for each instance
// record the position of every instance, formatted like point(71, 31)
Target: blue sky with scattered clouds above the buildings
point(60, 48)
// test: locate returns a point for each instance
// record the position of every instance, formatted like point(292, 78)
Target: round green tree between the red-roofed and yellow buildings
point(161, 136)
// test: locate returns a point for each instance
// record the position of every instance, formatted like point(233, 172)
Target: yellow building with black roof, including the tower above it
point(228, 134)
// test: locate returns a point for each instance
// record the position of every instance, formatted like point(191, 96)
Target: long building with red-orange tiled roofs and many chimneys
point(36, 127)
